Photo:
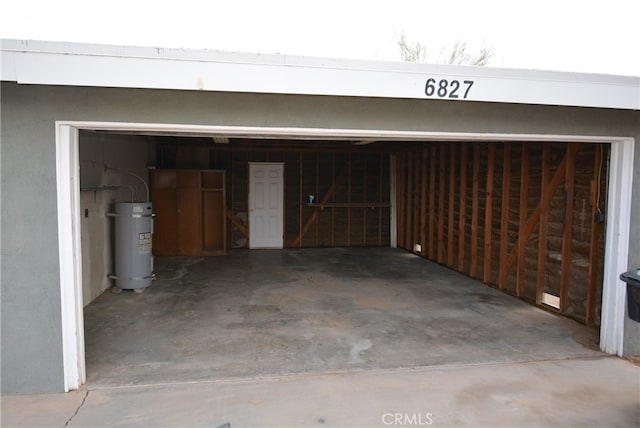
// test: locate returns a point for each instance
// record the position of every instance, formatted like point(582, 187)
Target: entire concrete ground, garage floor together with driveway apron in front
point(332, 337)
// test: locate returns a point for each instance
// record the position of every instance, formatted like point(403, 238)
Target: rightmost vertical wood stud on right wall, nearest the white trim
point(596, 230)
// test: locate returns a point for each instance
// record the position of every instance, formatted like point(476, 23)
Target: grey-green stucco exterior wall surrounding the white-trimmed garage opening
point(31, 332)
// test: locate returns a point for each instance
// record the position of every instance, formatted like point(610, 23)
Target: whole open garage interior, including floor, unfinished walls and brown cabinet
point(476, 224)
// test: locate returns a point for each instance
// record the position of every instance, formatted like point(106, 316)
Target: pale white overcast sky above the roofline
point(566, 35)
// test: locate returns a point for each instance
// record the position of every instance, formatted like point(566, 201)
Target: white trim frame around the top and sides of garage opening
point(617, 232)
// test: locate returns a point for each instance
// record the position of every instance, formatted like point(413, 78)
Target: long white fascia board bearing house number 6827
point(48, 63)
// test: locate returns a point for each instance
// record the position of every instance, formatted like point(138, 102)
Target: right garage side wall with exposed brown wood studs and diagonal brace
point(523, 217)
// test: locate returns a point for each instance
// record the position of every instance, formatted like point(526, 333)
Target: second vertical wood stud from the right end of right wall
point(568, 229)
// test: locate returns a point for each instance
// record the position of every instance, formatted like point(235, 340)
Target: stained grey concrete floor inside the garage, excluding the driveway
point(273, 313)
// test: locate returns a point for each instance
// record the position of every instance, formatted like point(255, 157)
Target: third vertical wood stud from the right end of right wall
point(544, 221)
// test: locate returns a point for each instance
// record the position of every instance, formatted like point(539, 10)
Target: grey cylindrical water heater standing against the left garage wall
point(134, 238)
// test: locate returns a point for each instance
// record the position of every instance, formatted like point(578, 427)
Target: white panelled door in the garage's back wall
point(266, 205)
